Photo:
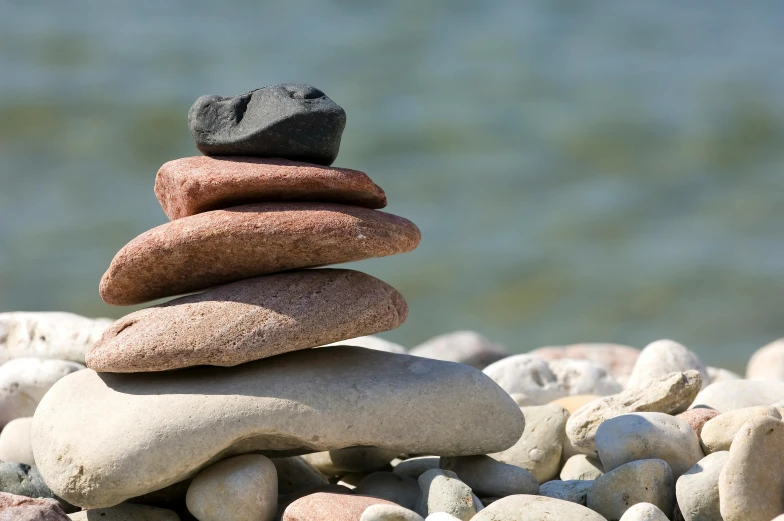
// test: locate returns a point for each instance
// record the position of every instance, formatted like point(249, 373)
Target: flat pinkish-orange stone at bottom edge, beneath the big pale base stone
point(335, 507)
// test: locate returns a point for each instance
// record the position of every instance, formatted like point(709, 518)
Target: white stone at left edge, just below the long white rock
point(24, 381)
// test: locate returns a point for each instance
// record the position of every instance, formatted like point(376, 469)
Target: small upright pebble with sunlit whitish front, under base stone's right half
point(441, 491)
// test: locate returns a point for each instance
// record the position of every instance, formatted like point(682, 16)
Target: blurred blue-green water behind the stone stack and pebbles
point(580, 171)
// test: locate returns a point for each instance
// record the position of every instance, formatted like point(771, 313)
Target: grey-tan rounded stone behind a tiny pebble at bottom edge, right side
point(643, 481)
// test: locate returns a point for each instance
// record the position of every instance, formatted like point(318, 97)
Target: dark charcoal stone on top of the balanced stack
point(290, 121)
